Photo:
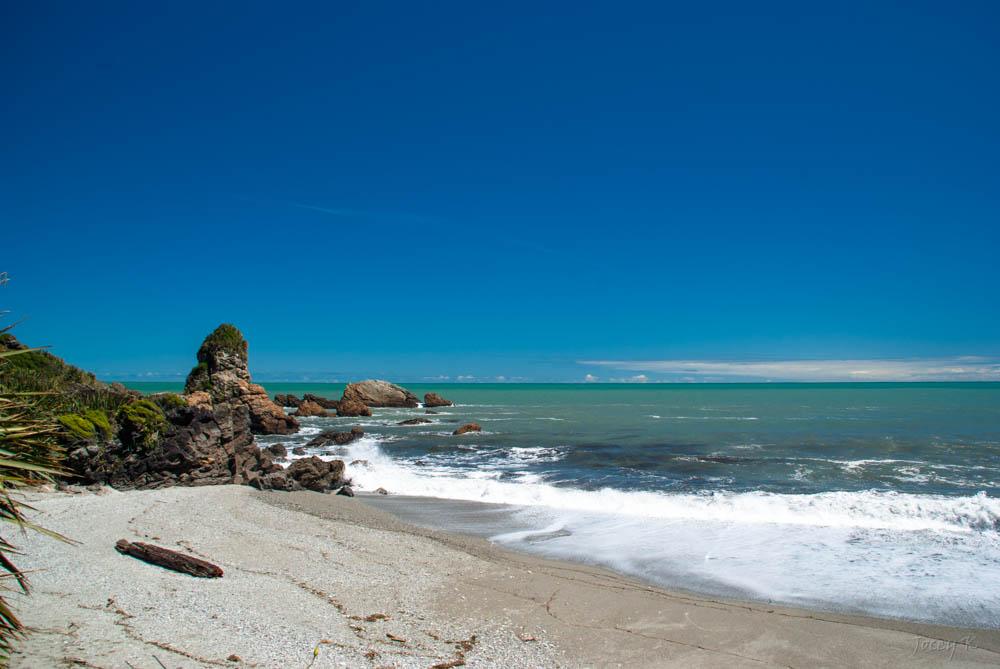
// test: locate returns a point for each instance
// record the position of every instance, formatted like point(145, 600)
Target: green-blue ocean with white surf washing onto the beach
point(863, 498)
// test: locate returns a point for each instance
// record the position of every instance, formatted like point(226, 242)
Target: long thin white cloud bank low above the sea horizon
point(965, 368)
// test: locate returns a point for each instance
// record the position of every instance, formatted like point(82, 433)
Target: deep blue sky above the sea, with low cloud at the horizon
point(538, 191)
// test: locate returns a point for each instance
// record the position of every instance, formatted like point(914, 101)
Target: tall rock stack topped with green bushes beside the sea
point(222, 373)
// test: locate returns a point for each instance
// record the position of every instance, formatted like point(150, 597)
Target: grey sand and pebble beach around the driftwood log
point(307, 571)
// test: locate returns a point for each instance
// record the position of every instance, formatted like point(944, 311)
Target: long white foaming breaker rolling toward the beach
point(871, 509)
